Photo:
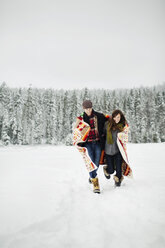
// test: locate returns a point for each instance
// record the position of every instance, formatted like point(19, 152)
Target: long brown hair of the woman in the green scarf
point(113, 124)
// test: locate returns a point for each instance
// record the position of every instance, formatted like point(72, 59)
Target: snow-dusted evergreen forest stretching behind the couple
point(31, 116)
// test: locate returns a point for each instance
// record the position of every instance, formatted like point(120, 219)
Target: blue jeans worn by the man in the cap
point(94, 151)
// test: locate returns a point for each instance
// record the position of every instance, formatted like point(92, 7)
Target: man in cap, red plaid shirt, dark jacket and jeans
point(95, 140)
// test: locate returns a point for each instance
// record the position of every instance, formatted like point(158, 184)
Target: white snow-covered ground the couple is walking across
point(46, 201)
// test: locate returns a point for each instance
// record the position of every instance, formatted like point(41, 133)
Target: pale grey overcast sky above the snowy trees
point(73, 44)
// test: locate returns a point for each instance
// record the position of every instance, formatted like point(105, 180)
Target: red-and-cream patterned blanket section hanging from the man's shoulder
point(80, 134)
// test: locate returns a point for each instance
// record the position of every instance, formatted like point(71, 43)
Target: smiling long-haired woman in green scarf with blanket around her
point(116, 130)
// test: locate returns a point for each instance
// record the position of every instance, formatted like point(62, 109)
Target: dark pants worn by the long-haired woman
point(114, 162)
